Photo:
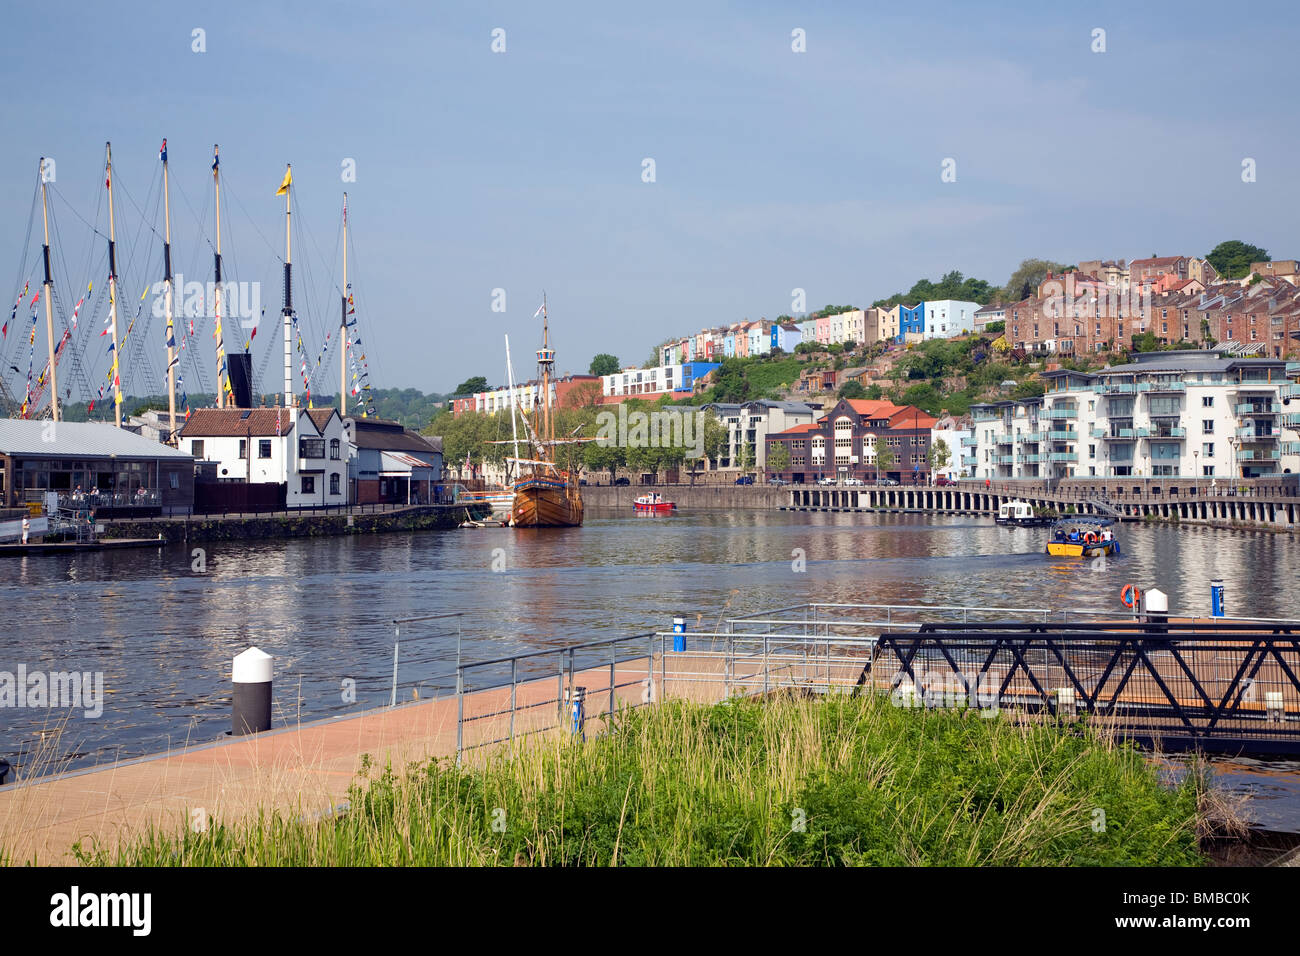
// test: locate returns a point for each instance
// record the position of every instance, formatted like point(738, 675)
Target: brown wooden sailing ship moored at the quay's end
point(547, 496)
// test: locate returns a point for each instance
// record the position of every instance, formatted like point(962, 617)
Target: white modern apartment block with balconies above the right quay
point(1171, 414)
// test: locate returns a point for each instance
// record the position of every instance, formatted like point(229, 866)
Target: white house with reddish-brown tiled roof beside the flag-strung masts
point(301, 448)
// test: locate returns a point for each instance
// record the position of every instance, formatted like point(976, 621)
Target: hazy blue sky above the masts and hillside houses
point(526, 171)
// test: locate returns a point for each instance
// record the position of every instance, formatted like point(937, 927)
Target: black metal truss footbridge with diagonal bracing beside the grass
point(1227, 686)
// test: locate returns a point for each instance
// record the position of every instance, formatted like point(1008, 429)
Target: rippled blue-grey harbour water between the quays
point(163, 634)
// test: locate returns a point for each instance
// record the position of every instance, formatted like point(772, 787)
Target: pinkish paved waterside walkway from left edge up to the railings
point(300, 771)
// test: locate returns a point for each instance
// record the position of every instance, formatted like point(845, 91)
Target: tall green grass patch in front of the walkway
point(839, 781)
